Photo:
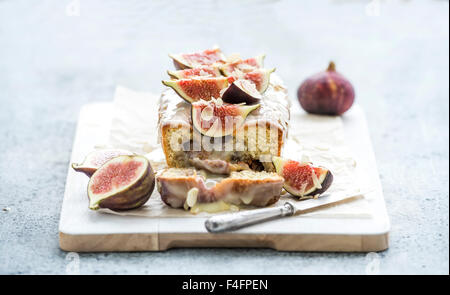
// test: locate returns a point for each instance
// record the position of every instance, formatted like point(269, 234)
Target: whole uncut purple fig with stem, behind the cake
point(326, 93)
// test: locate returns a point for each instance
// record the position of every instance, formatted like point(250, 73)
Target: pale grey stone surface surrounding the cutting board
point(53, 62)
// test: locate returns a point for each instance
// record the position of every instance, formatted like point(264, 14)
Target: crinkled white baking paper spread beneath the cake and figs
point(318, 139)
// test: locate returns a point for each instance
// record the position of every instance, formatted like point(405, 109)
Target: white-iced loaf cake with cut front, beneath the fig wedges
point(252, 145)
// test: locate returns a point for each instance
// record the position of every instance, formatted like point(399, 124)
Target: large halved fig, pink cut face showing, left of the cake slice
point(122, 183)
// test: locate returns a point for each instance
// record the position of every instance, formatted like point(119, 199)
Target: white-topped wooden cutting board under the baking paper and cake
point(83, 230)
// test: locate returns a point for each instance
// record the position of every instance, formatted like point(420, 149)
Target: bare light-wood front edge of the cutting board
point(280, 242)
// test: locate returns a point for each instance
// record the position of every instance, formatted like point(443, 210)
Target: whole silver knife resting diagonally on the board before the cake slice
point(233, 221)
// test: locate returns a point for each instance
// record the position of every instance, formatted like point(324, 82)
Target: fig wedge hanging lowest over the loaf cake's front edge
point(216, 119)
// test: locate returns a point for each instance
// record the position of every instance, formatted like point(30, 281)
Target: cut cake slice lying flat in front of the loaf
point(193, 189)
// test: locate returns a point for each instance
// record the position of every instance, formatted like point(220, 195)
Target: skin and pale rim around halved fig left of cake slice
point(131, 197)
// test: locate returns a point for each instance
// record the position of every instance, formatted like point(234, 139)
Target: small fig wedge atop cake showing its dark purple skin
point(242, 91)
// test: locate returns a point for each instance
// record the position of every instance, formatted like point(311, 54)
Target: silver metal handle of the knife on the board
point(232, 221)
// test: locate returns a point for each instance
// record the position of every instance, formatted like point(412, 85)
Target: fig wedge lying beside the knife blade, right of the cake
point(303, 179)
